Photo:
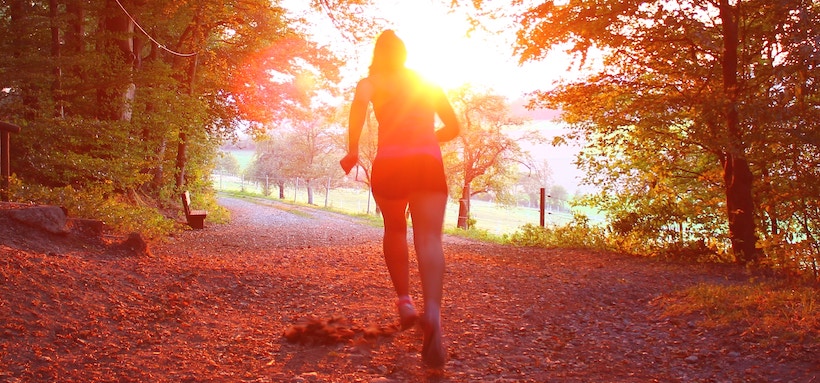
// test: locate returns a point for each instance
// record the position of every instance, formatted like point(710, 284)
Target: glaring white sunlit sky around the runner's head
point(439, 47)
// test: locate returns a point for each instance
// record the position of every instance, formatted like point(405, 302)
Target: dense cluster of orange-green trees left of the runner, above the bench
point(171, 79)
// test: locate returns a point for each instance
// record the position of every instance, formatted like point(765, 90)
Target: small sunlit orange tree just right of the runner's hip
point(483, 159)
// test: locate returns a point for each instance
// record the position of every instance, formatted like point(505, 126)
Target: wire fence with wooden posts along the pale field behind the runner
point(495, 218)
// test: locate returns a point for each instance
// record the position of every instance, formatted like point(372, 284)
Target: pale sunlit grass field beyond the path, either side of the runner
point(489, 216)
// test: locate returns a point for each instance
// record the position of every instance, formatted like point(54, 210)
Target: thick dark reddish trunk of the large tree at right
point(737, 175)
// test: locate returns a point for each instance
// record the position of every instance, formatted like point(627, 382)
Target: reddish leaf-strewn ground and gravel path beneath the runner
point(214, 305)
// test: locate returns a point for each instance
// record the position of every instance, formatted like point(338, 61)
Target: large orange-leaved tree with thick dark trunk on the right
point(683, 89)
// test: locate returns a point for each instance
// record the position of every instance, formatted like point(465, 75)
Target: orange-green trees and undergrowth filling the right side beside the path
point(658, 120)
